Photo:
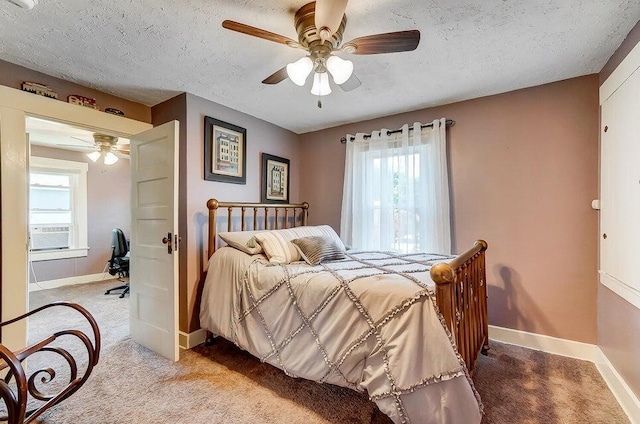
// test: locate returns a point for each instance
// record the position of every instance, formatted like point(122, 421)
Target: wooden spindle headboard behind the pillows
point(262, 216)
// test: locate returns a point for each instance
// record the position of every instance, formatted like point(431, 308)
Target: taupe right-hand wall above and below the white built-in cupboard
point(619, 320)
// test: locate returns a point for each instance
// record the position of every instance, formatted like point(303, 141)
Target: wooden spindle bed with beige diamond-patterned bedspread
point(405, 328)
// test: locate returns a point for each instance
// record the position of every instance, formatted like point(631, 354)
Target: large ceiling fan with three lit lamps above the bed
point(320, 26)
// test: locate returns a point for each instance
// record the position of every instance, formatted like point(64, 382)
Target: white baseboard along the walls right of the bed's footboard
point(628, 401)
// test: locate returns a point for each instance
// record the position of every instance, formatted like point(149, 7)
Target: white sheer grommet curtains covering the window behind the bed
point(396, 191)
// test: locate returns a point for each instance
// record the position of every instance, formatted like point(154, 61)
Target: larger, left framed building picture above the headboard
point(225, 147)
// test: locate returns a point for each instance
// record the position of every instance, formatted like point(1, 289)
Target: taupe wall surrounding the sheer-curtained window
point(524, 169)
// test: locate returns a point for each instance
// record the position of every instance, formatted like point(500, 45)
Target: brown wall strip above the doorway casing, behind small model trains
point(14, 75)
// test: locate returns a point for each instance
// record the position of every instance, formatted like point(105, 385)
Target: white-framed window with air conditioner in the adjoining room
point(57, 209)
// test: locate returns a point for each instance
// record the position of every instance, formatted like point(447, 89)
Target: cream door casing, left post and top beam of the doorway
point(15, 106)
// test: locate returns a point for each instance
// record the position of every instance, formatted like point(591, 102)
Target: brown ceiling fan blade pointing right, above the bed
point(390, 42)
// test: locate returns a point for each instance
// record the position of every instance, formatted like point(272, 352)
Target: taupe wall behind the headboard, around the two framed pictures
point(262, 137)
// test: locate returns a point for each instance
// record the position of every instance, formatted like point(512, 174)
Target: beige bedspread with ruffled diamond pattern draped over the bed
point(367, 323)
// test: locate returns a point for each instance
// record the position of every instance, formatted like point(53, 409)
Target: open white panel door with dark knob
point(154, 222)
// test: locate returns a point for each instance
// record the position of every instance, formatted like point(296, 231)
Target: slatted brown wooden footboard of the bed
point(461, 295)
